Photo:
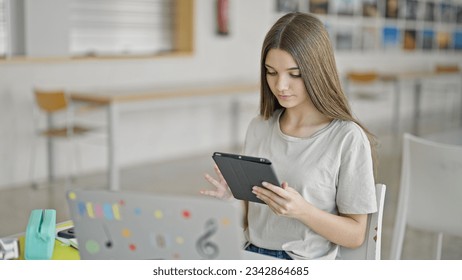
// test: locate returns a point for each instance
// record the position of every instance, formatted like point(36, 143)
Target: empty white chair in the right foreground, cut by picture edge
point(430, 193)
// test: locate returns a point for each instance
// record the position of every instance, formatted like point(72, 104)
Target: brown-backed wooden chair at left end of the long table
point(53, 103)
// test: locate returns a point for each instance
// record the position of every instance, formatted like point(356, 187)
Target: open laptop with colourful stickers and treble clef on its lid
point(139, 225)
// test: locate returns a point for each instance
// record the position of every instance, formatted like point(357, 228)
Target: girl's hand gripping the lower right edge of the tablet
point(283, 200)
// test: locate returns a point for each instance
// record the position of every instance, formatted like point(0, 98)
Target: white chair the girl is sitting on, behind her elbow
point(371, 248)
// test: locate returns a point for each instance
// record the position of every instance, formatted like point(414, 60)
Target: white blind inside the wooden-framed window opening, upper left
point(120, 27)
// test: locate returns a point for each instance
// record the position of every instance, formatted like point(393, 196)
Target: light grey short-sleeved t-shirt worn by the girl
point(332, 169)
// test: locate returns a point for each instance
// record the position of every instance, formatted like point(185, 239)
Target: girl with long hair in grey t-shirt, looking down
point(323, 154)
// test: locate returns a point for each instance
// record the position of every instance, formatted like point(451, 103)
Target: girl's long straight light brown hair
point(305, 38)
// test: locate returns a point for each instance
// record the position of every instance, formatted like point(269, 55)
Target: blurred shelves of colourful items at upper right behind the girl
point(387, 25)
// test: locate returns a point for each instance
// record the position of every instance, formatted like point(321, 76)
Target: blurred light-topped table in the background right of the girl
point(416, 77)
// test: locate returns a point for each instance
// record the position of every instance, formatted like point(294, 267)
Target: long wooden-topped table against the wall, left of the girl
point(112, 98)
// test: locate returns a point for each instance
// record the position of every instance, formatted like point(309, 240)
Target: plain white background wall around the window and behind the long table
point(169, 128)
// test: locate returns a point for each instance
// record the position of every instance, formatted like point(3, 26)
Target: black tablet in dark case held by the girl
point(243, 172)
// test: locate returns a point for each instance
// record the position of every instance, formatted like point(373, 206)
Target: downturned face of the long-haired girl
point(284, 79)
